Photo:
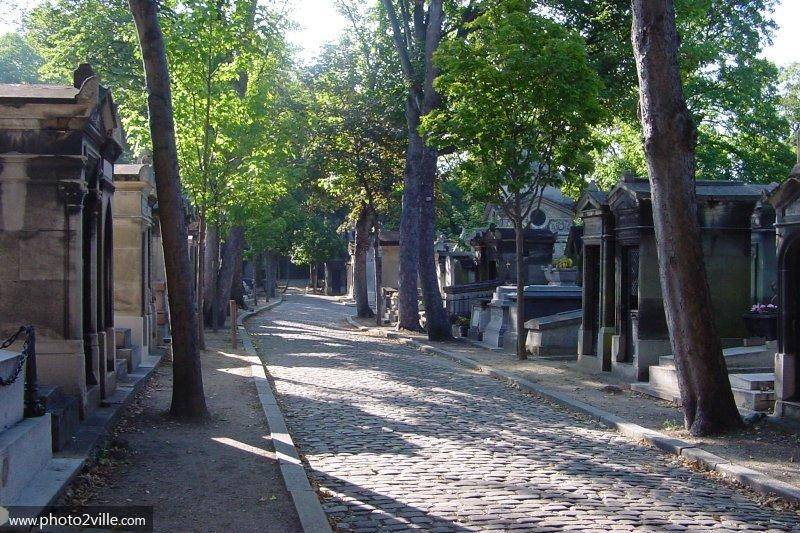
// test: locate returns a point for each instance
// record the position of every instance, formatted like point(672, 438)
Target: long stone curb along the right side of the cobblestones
point(750, 478)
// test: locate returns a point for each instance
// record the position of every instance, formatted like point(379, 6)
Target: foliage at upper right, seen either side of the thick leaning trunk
point(729, 88)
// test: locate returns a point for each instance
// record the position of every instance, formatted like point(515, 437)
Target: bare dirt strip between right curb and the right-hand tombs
point(766, 447)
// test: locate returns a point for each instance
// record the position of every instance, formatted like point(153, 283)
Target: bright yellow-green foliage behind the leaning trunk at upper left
point(239, 109)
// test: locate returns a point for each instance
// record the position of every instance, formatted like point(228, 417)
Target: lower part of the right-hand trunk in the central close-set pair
point(436, 322)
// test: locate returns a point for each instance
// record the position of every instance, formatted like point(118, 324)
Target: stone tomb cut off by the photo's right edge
point(787, 361)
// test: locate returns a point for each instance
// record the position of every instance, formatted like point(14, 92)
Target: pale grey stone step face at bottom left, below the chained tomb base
point(26, 450)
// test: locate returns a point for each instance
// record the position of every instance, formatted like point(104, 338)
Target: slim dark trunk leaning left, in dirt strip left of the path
point(188, 399)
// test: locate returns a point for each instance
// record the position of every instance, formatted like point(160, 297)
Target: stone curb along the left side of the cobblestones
point(309, 509)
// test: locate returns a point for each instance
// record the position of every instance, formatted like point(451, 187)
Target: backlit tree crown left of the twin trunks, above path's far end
point(357, 142)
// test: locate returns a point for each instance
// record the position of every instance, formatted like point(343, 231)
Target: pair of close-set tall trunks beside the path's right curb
point(417, 29)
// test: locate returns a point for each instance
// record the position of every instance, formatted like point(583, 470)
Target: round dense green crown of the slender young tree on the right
point(520, 98)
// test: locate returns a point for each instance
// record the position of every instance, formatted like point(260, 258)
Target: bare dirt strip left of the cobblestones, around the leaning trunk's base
point(220, 475)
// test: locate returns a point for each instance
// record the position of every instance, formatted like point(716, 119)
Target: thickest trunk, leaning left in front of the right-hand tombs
point(670, 138)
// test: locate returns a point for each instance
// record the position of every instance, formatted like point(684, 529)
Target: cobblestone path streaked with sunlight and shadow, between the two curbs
point(397, 440)
